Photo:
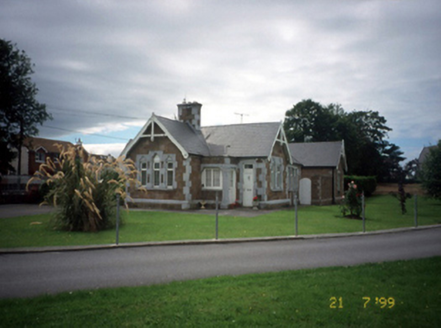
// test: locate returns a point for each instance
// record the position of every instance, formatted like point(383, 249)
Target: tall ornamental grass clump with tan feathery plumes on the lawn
point(84, 190)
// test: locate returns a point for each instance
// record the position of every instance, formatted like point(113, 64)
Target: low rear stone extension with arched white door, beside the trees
point(323, 167)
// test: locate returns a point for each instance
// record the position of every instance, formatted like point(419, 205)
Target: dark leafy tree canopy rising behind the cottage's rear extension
point(365, 133)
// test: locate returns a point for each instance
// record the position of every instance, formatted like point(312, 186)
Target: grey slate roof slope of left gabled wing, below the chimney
point(190, 139)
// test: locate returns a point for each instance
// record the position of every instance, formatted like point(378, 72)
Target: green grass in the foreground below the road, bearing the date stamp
point(408, 291)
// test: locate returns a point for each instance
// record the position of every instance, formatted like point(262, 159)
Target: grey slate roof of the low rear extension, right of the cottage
point(319, 154)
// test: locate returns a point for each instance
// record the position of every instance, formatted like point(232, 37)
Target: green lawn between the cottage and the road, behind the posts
point(382, 212)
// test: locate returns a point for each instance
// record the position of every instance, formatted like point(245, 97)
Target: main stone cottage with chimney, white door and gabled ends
point(183, 165)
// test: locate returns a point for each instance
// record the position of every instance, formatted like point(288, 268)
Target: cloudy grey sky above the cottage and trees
point(103, 67)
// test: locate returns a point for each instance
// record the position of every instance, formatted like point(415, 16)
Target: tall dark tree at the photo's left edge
point(20, 112)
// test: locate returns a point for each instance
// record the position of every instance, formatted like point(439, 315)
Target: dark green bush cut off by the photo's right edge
point(431, 172)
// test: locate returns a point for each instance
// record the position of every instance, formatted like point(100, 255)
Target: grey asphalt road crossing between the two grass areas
point(24, 275)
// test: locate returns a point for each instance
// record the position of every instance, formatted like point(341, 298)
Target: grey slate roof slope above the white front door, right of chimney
point(241, 140)
